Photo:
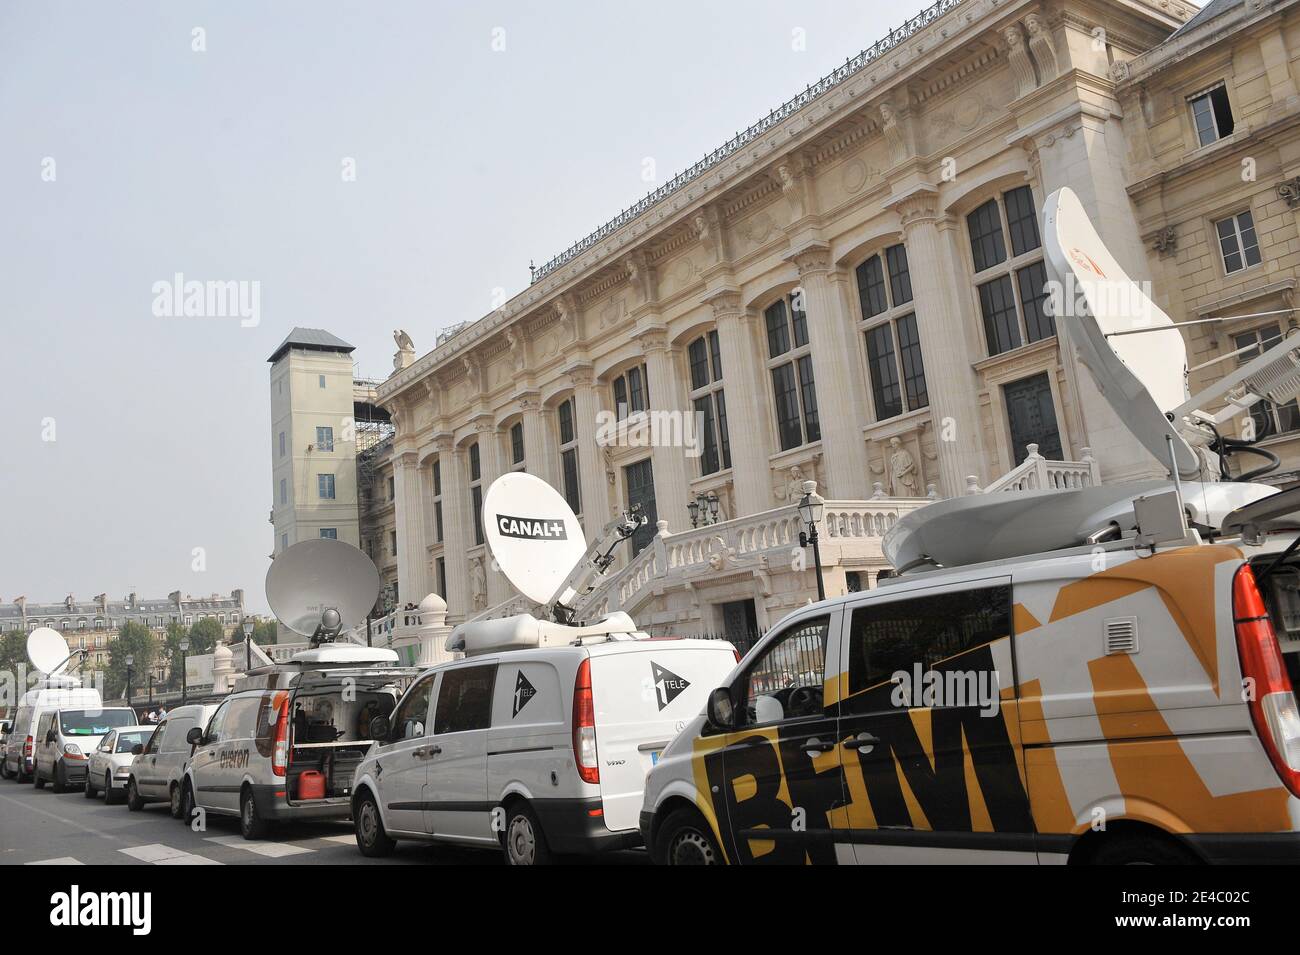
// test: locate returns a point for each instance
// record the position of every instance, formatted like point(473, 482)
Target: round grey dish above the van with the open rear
point(319, 575)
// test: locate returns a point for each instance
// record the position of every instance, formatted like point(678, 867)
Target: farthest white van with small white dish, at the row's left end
point(50, 657)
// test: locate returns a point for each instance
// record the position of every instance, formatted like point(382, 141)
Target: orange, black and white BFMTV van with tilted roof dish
point(1102, 675)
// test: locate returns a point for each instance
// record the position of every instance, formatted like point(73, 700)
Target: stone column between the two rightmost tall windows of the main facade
point(946, 353)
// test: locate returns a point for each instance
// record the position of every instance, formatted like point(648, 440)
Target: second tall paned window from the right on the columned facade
point(894, 345)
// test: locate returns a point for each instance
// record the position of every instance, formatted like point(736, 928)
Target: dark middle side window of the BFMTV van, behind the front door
point(928, 632)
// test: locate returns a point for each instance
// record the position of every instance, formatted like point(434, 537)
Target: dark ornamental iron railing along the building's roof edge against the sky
point(829, 83)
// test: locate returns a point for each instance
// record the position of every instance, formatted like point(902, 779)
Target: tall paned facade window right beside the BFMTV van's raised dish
point(1013, 299)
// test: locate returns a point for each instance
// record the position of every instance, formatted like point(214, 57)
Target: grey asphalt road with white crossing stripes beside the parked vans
point(38, 827)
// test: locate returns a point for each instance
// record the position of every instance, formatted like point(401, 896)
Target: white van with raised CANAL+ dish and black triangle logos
point(541, 737)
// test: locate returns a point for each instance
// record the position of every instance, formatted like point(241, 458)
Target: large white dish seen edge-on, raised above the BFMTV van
point(1142, 376)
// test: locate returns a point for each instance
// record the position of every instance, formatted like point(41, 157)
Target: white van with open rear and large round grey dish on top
point(285, 744)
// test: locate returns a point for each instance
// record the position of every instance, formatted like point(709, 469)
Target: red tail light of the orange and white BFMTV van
point(1273, 704)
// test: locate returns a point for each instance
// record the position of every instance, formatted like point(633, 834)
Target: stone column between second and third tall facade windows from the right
point(831, 336)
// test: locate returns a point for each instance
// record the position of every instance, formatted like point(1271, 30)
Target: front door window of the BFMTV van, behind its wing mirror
point(787, 681)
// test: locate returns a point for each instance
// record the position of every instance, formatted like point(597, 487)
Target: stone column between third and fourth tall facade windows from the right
point(747, 411)
